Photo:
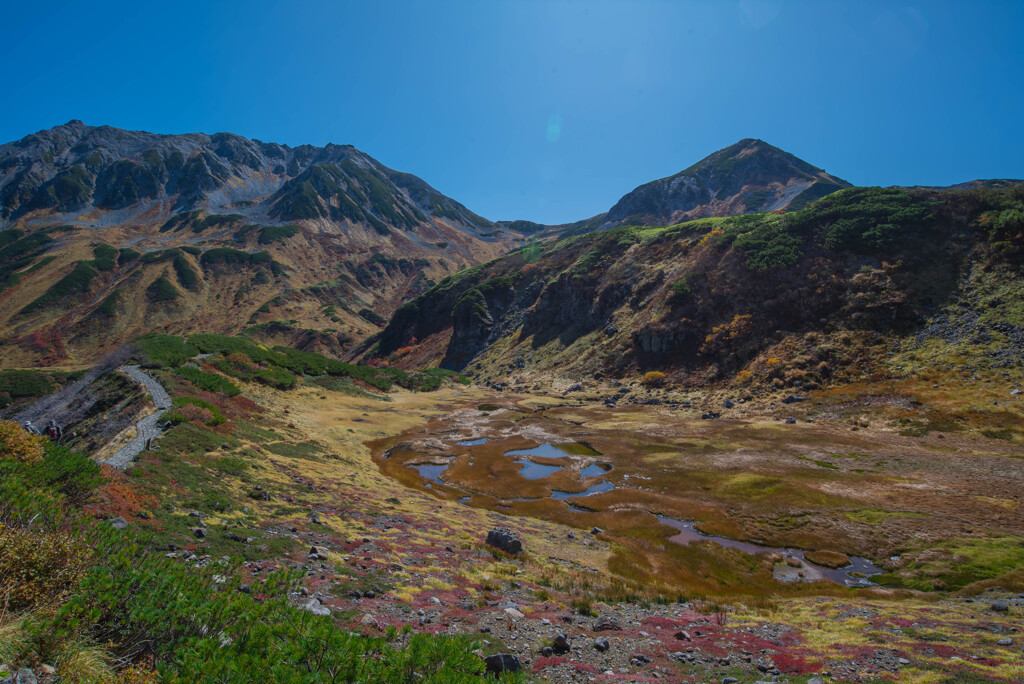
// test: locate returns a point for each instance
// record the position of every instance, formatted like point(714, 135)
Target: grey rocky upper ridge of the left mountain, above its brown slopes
point(74, 168)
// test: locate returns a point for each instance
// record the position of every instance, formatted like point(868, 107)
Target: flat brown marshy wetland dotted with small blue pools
point(734, 506)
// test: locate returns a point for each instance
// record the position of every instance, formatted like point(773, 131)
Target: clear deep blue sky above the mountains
point(543, 111)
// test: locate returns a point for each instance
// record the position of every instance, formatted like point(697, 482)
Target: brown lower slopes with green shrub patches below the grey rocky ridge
point(56, 307)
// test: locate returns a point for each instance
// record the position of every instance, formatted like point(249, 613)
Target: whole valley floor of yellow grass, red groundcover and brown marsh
point(303, 482)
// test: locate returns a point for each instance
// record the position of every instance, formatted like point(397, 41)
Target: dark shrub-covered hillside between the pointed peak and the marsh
point(714, 298)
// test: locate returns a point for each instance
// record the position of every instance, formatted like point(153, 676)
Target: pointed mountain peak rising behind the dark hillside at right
point(748, 177)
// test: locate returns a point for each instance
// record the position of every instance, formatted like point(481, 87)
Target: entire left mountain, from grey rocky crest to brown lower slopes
point(110, 234)
